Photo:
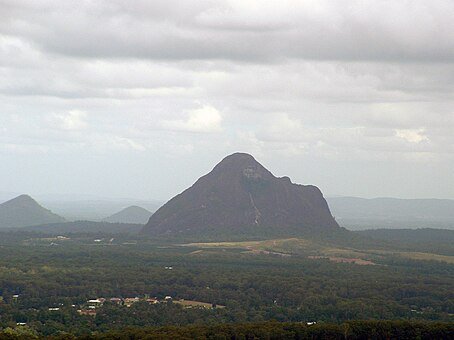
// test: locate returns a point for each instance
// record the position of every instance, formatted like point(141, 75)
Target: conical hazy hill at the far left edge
point(25, 211)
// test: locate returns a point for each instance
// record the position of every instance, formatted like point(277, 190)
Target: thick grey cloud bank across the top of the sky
point(232, 30)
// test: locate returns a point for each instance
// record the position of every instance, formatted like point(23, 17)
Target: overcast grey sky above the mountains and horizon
point(140, 98)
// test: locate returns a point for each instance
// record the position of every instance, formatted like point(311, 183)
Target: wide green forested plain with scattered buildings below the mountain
point(46, 283)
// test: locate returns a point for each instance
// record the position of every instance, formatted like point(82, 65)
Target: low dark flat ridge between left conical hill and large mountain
point(85, 227)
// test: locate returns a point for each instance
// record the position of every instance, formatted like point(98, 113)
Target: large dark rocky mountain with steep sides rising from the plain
point(240, 196)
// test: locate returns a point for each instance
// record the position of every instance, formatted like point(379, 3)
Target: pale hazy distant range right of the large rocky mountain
point(359, 213)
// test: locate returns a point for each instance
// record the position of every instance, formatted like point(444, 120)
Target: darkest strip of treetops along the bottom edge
point(354, 330)
